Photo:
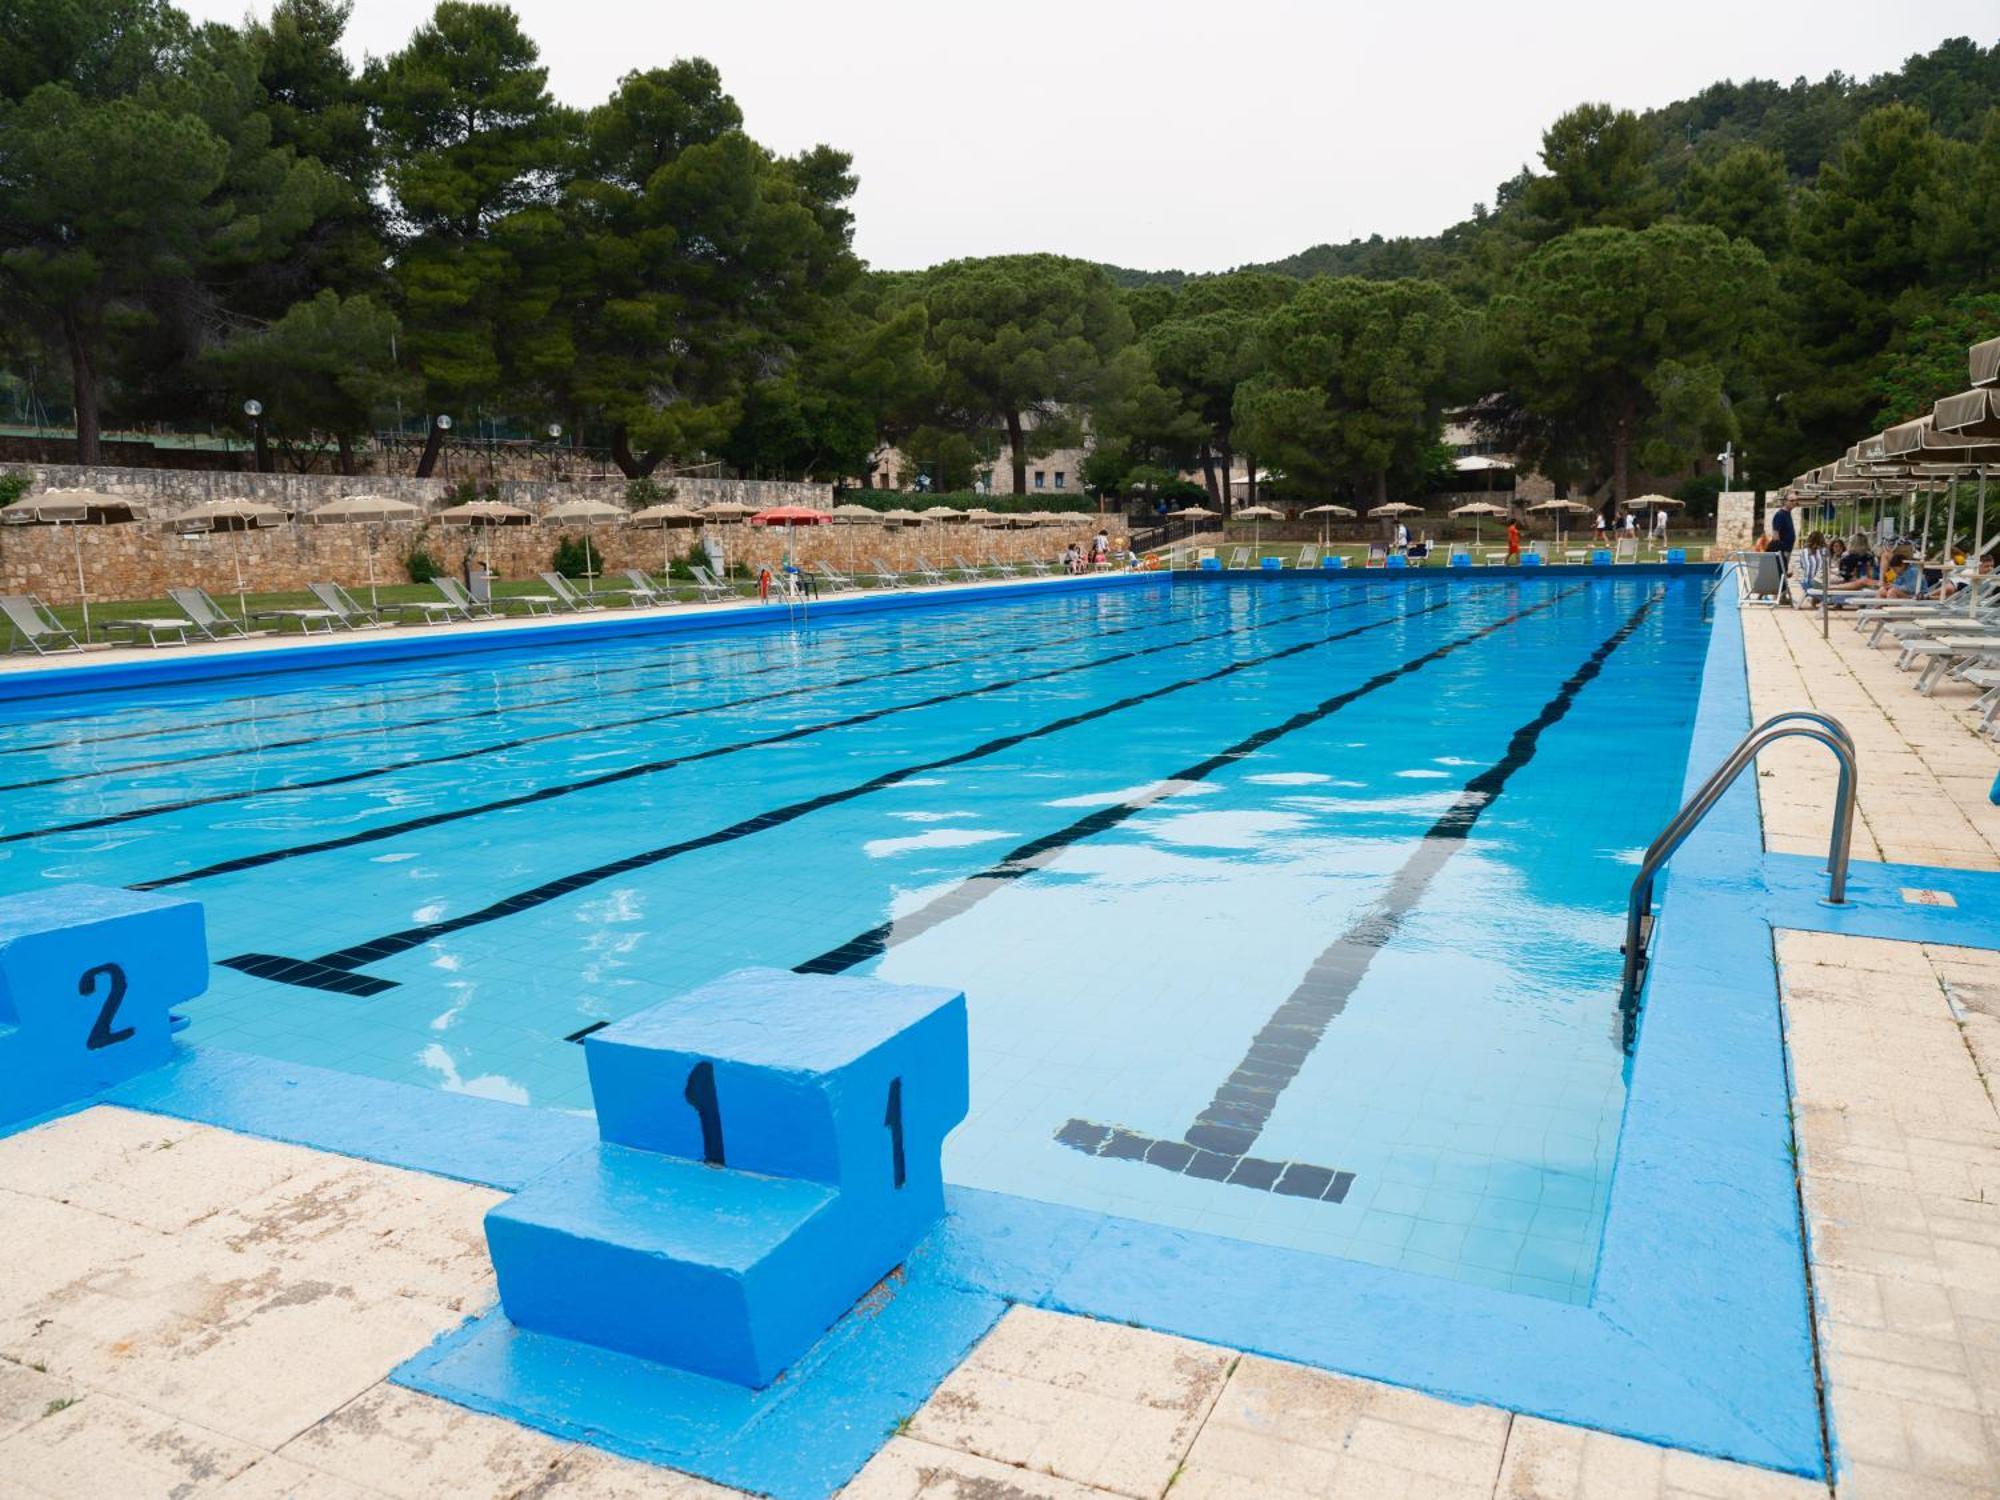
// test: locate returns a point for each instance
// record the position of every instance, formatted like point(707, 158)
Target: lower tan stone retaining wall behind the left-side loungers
point(143, 559)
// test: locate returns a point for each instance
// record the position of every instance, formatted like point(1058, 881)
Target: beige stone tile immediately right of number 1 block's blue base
point(1077, 1399)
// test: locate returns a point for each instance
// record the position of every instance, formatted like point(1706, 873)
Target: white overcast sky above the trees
point(1185, 135)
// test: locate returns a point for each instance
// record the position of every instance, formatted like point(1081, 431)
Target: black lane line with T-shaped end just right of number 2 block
point(335, 971)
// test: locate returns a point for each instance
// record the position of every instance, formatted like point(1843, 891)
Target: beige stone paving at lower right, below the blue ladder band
point(1901, 1181)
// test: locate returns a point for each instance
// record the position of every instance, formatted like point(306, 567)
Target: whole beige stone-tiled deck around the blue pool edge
point(203, 1313)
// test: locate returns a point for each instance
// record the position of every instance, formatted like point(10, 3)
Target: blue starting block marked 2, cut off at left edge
point(87, 979)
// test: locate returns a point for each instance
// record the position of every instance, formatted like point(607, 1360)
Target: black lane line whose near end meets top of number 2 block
point(669, 763)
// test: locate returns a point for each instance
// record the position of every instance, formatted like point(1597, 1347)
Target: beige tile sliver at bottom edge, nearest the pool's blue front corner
point(1547, 1461)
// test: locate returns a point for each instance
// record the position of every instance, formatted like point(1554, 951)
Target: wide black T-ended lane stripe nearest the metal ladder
point(1217, 1147)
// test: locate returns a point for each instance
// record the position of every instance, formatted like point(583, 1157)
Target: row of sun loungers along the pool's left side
point(35, 627)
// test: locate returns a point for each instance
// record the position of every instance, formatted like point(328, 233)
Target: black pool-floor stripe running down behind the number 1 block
point(1037, 853)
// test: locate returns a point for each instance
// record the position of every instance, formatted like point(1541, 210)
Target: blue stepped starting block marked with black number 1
point(771, 1149)
